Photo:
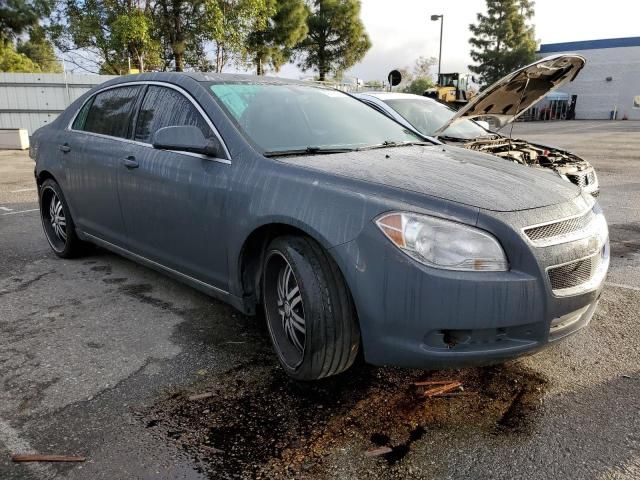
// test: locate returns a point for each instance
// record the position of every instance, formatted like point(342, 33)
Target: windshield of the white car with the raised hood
point(427, 116)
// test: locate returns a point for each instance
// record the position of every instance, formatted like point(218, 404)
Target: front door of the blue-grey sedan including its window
point(173, 202)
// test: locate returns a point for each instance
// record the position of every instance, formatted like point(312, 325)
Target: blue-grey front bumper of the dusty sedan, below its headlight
point(415, 316)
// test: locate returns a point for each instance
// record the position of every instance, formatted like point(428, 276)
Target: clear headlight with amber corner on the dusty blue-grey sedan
point(442, 243)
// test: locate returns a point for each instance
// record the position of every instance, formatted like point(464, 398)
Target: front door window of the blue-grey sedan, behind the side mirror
point(165, 107)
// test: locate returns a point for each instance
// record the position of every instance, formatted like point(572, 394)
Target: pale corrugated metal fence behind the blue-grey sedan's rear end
point(31, 100)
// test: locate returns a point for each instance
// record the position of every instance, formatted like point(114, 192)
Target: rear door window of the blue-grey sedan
point(111, 112)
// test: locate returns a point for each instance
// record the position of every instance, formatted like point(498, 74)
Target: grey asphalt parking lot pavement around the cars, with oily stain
point(99, 356)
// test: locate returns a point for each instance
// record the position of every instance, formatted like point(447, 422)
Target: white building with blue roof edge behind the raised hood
point(609, 82)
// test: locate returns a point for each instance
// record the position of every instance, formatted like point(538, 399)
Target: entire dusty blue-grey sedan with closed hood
point(349, 230)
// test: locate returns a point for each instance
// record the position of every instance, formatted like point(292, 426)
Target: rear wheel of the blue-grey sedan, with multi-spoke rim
point(57, 222)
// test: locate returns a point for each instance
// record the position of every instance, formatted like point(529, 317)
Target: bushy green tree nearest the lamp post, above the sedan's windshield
point(337, 38)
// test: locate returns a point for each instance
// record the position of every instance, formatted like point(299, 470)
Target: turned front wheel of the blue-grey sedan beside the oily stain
point(308, 308)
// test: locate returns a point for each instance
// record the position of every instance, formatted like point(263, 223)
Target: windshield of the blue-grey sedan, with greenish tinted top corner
point(282, 118)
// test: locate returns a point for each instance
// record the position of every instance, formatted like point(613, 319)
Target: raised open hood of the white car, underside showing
point(512, 95)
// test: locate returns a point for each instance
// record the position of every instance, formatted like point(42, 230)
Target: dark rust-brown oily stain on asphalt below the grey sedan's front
point(257, 423)
